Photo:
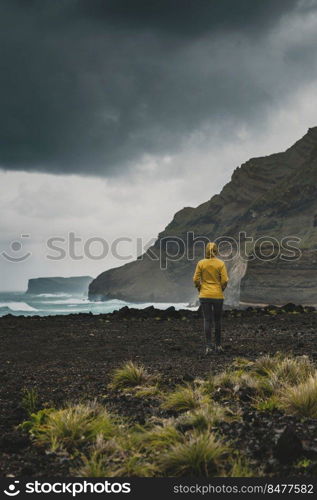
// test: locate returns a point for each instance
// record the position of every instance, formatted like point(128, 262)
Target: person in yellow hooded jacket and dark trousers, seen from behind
point(211, 279)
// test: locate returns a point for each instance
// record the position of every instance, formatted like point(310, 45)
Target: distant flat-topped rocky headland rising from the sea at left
point(74, 285)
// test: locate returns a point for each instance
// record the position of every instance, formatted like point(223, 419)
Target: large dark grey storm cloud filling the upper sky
point(90, 86)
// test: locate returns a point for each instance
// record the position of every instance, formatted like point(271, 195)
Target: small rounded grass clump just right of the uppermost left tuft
point(184, 399)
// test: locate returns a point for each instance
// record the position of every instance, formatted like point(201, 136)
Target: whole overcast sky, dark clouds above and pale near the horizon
point(115, 114)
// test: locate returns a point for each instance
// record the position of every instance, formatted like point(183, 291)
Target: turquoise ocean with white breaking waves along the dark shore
point(20, 304)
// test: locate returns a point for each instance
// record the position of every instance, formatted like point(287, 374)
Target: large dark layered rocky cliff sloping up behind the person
point(268, 198)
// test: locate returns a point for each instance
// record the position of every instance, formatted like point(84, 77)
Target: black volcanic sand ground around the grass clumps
point(70, 358)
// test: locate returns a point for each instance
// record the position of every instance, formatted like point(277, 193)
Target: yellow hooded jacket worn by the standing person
point(211, 276)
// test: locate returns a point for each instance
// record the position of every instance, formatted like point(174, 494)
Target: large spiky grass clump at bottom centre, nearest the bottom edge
point(202, 454)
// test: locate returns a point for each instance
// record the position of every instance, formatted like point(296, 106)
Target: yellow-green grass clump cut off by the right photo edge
point(301, 399)
